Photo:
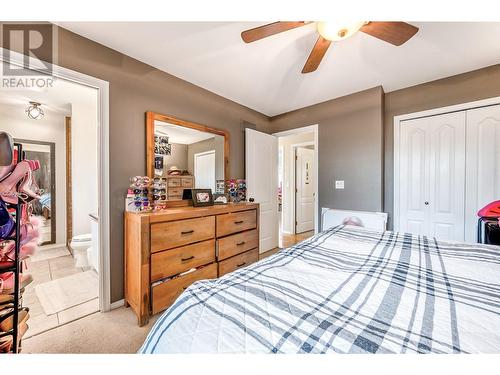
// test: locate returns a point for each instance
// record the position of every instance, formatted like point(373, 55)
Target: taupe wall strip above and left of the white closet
point(479, 84)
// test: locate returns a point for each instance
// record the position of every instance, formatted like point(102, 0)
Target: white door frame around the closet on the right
point(416, 115)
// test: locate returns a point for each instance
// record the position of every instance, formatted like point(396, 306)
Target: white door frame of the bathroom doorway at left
point(102, 87)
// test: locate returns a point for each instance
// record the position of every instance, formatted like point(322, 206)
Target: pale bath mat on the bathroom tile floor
point(64, 293)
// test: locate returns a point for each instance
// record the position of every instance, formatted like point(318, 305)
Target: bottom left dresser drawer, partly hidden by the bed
point(164, 294)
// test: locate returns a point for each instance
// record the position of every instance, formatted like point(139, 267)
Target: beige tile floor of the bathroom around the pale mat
point(51, 263)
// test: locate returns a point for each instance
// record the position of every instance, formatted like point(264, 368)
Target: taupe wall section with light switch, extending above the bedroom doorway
point(350, 148)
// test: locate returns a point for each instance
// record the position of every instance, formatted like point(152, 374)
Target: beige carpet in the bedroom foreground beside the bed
point(112, 332)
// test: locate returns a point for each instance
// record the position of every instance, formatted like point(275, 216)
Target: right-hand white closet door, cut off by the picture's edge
point(483, 163)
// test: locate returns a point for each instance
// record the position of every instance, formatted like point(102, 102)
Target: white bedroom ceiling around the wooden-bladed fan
point(265, 75)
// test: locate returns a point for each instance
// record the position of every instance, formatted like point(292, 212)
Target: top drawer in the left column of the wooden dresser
point(183, 232)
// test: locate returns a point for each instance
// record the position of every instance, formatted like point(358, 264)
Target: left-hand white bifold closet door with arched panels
point(432, 176)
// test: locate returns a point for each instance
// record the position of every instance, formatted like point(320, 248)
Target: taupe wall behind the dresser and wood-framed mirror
point(134, 89)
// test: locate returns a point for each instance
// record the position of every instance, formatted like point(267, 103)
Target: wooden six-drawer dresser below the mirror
point(161, 247)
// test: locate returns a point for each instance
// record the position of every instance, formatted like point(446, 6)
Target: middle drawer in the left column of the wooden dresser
point(172, 262)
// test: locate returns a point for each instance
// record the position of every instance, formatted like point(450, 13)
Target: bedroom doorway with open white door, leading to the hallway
point(271, 181)
